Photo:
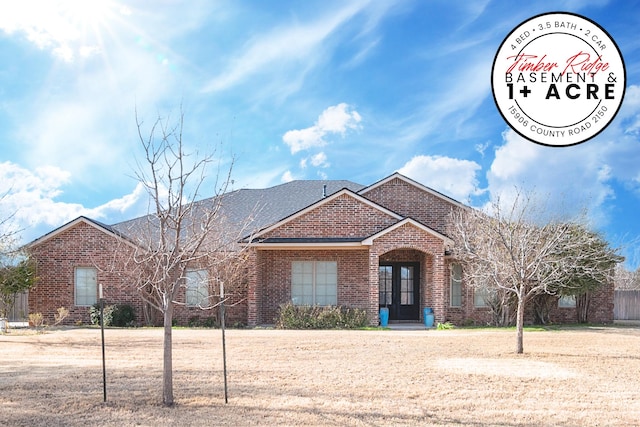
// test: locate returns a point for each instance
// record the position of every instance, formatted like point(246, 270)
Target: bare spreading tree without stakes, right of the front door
point(508, 250)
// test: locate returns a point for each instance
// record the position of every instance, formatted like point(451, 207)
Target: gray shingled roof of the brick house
point(266, 206)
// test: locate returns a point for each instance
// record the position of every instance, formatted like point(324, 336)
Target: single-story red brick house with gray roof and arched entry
point(315, 242)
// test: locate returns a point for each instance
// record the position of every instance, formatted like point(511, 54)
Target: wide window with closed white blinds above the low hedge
point(314, 282)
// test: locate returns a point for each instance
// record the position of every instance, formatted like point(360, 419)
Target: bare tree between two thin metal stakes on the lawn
point(179, 233)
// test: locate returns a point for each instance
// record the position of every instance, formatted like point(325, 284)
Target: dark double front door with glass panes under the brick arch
point(400, 290)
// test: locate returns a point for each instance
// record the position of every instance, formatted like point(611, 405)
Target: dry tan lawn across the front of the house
point(572, 377)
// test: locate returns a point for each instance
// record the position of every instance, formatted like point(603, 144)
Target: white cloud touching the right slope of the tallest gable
point(453, 177)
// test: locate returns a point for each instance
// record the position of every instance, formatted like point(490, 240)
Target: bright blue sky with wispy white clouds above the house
point(294, 90)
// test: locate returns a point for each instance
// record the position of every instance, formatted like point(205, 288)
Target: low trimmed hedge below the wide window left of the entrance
point(314, 317)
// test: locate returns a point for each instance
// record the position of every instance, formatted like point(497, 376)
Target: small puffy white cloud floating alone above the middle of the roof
point(337, 119)
